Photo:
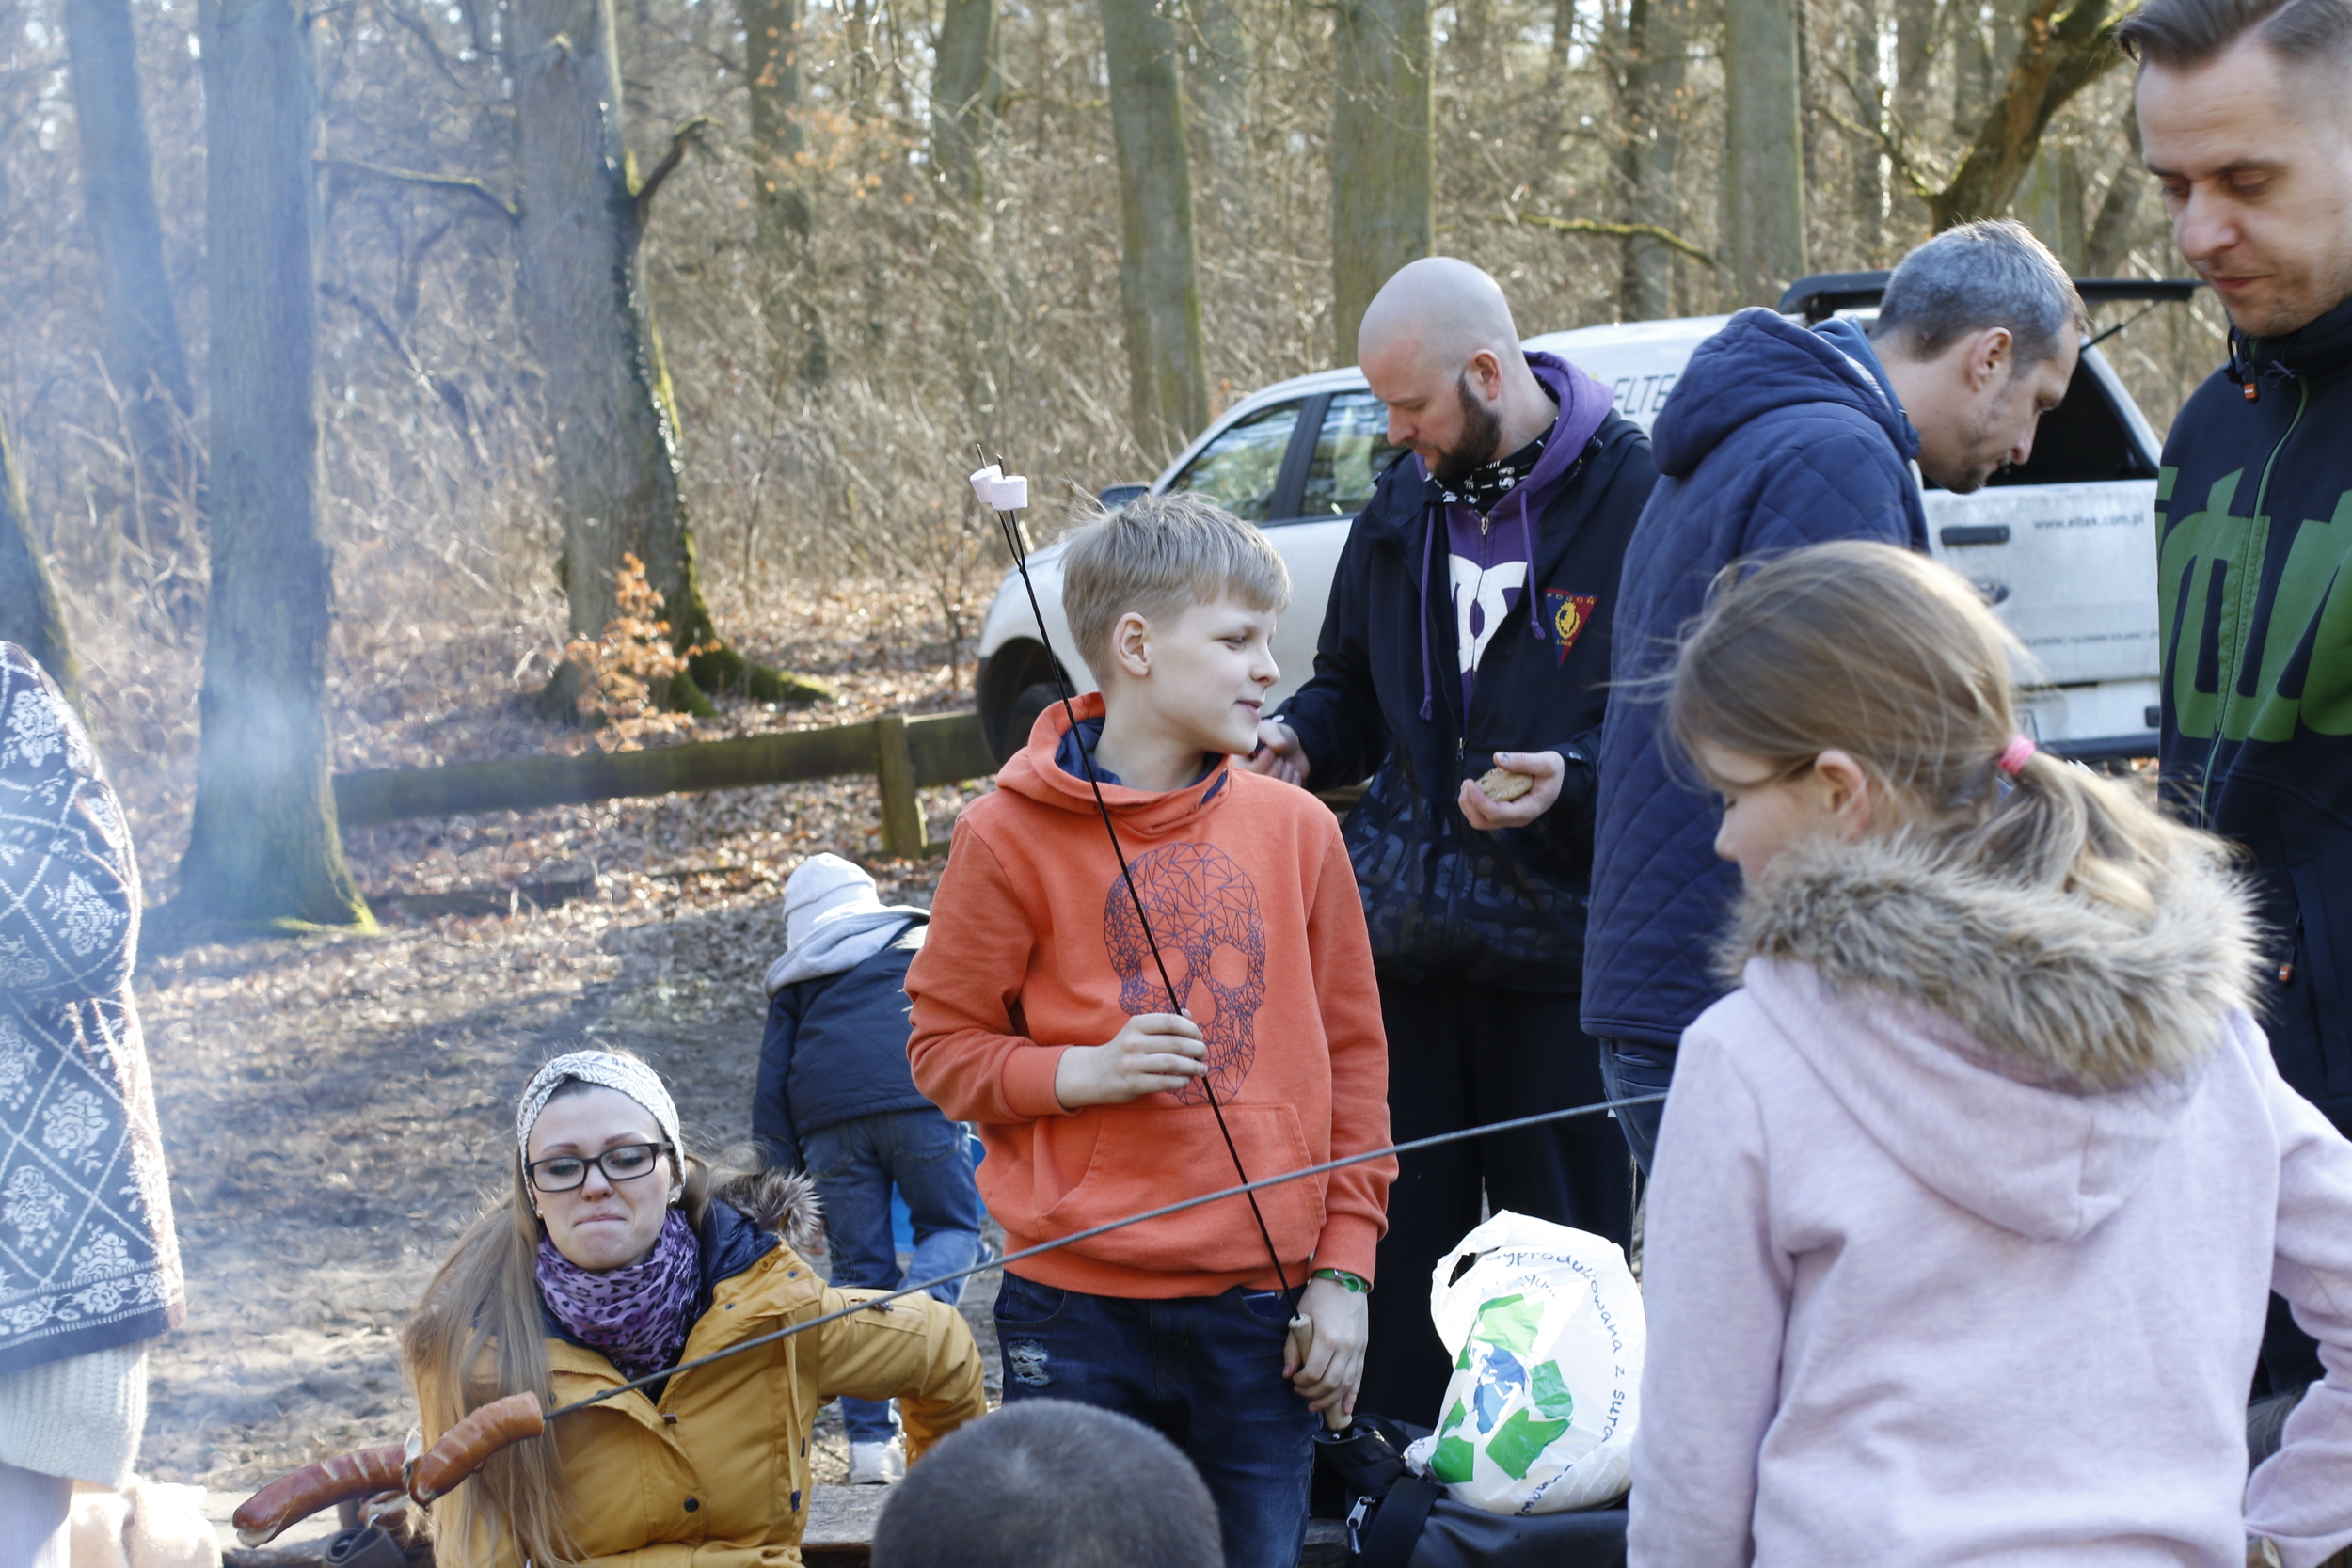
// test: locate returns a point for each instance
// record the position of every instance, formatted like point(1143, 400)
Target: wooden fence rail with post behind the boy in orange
point(900, 753)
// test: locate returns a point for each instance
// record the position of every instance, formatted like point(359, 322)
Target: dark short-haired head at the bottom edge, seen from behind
point(1050, 1485)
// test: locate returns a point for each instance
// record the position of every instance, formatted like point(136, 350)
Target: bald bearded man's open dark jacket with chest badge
point(1445, 899)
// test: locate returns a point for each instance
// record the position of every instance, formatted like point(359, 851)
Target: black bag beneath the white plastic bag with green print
point(1398, 1520)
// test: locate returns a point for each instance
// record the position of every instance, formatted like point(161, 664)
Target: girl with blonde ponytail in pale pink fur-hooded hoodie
point(1972, 1198)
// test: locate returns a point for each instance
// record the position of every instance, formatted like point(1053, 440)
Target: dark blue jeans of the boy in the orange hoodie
point(1205, 1372)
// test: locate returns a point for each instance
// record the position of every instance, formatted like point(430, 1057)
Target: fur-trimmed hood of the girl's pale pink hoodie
point(2024, 1054)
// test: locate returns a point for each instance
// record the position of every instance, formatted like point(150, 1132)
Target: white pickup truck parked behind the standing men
point(2064, 547)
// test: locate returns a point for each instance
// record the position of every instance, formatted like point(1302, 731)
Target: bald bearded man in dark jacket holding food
point(1469, 631)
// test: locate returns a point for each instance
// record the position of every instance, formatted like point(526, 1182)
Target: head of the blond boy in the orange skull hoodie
point(1172, 605)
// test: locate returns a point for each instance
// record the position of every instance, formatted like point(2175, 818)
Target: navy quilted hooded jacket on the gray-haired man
point(1775, 438)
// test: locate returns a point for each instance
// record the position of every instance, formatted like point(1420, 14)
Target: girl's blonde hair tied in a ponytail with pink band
point(1885, 655)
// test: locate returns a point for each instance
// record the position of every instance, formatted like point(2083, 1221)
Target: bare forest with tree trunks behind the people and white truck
point(886, 229)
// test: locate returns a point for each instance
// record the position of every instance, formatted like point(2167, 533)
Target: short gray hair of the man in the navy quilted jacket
point(1977, 276)
